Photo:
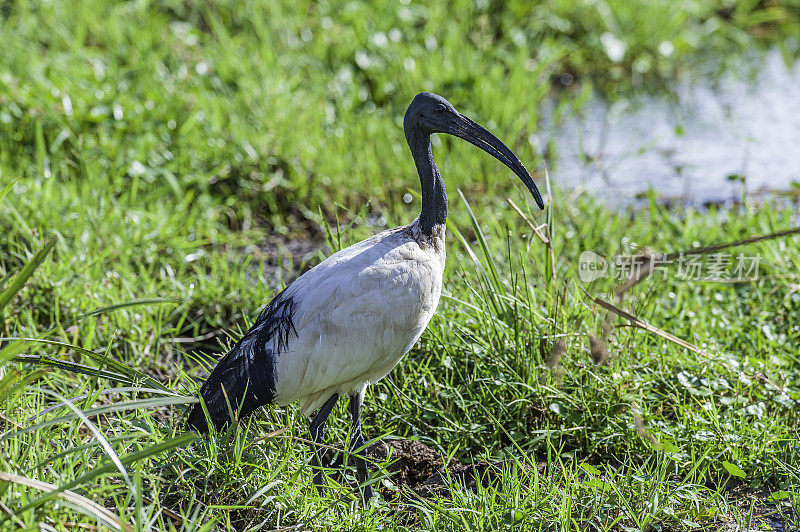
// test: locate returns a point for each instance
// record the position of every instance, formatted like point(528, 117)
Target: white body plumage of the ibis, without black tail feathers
point(357, 314)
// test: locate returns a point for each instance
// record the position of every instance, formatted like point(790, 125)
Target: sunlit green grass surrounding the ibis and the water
point(154, 155)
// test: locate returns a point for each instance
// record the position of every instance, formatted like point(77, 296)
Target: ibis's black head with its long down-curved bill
point(430, 113)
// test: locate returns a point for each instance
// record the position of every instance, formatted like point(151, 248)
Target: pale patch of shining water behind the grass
point(687, 147)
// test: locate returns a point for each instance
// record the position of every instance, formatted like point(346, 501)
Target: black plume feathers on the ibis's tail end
point(244, 379)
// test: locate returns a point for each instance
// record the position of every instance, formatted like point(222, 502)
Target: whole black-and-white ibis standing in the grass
point(349, 320)
